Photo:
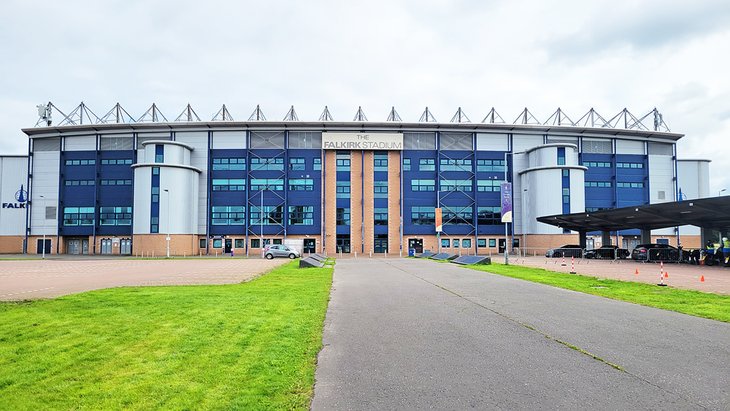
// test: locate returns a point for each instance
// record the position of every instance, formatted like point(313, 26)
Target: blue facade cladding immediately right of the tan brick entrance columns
point(413, 198)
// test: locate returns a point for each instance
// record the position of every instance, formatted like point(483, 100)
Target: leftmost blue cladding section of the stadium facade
point(77, 166)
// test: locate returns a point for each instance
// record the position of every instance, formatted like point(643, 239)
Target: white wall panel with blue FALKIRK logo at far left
point(13, 175)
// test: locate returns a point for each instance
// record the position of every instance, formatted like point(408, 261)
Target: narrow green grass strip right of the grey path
point(712, 306)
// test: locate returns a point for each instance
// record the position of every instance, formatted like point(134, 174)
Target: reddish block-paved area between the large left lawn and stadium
point(30, 279)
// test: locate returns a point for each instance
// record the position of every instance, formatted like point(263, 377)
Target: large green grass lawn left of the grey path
point(242, 346)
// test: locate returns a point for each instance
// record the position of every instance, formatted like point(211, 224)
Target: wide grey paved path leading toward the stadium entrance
point(414, 334)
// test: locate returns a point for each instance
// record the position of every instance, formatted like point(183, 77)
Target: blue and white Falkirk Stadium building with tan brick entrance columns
point(148, 186)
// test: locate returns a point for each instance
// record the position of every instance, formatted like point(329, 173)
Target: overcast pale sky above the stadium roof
point(673, 55)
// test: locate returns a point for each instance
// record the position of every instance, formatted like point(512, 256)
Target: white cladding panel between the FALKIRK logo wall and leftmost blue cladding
point(45, 184)
